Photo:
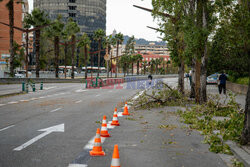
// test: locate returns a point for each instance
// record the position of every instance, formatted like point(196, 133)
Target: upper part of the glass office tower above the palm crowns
point(89, 14)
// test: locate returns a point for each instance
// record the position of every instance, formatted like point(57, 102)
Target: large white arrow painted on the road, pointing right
point(47, 131)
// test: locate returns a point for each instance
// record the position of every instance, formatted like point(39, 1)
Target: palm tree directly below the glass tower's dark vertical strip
point(72, 28)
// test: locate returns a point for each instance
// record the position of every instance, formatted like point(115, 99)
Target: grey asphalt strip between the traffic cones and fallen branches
point(150, 138)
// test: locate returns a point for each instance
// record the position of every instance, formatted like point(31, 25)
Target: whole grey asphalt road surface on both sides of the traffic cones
point(78, 112)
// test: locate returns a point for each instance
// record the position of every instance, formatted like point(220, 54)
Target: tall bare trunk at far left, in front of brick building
point(11, 21)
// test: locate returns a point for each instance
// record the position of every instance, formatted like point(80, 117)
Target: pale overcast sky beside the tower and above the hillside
point(122, 16)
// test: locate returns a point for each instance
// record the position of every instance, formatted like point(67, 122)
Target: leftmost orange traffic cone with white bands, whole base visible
point(97, 148)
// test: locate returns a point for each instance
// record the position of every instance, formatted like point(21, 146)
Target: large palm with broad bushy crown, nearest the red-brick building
point(36, 18)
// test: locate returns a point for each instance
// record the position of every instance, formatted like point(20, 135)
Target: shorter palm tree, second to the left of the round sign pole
point(85, 42)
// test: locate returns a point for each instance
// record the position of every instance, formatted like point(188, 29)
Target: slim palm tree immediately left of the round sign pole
point(99, 34)
